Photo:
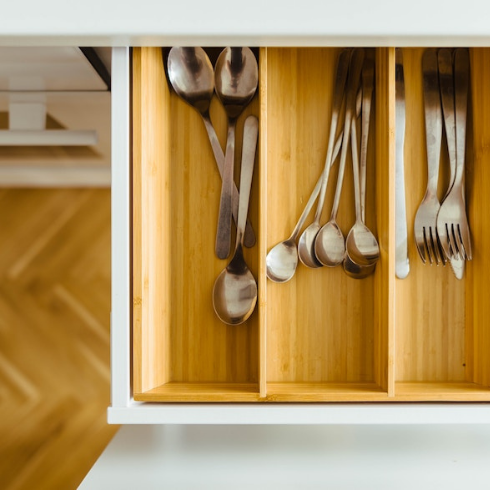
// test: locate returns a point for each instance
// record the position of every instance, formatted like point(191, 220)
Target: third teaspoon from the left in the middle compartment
point(329, 243)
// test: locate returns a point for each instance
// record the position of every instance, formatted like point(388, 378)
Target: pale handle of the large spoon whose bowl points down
point(250, 133)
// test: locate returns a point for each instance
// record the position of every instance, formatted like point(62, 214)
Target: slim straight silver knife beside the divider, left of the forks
point(402, 264)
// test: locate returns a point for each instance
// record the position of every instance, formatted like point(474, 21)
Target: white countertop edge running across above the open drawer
point(255, 22)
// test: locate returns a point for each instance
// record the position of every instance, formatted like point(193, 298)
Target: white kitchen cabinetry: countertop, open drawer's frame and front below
point(368, 446)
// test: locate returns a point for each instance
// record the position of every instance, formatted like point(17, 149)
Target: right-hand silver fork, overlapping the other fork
point(452, 222)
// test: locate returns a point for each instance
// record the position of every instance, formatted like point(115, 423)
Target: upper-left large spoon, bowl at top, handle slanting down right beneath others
point(191, 75)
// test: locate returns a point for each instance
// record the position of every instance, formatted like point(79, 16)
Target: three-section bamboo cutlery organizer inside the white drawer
point(322, 336)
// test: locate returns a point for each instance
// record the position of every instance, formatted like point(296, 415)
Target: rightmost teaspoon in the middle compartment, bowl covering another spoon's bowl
point(361, 245)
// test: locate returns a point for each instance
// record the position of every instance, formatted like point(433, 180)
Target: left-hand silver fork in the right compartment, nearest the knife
point(425, 226)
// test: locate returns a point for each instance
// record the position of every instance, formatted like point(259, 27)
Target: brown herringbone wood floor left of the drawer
point(54, 335)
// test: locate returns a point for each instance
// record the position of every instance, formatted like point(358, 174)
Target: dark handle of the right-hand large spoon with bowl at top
point(223, 234)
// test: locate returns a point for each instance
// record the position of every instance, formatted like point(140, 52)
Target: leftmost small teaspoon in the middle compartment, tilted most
point(282, 259)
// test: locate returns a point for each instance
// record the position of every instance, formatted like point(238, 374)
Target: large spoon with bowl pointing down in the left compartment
point(235, 289)
